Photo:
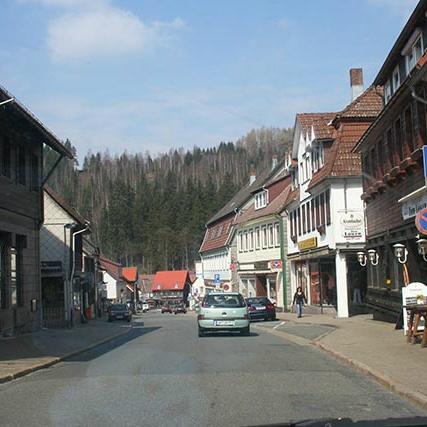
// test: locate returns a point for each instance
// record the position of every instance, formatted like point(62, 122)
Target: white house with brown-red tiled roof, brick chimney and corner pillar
point(326, 217)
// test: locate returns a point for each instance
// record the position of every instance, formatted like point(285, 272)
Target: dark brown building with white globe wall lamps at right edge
point(394, 186)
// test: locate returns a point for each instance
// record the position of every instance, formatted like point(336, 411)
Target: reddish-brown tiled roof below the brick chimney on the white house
point(340, 160)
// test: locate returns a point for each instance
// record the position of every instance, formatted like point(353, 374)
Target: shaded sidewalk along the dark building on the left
point(27, 353)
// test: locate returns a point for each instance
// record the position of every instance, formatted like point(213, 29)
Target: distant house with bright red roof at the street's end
point(172, 285)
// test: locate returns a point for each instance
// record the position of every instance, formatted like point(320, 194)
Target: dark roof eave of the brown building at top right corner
point(416, 19)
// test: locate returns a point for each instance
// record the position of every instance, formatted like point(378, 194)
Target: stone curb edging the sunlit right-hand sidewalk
point(403, 391)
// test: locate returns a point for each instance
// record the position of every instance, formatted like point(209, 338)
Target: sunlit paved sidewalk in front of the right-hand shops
point(373, 347)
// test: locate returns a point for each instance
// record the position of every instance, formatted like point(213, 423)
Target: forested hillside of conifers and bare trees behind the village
point(152, 211)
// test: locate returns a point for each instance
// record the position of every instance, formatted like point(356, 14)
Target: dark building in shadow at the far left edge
point(22, 138)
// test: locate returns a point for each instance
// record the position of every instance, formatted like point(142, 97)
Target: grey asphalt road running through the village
point(162, 374)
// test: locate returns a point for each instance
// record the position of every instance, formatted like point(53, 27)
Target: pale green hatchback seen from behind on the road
point(223, 312)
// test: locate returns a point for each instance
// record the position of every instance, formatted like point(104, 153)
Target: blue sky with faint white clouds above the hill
point(151, 75)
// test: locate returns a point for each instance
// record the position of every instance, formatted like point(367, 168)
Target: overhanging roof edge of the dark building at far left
point(50, 138)
